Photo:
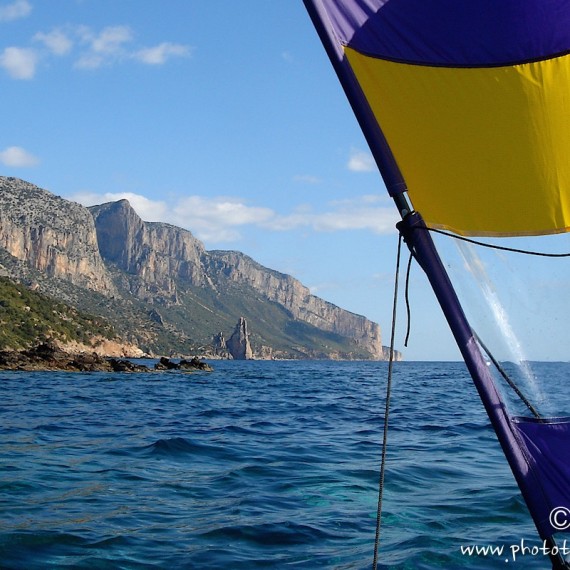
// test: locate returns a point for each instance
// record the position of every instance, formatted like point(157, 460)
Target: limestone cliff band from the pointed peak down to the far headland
point(162, 256)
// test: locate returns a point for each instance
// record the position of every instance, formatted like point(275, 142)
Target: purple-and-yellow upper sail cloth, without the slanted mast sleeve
point(473, 98)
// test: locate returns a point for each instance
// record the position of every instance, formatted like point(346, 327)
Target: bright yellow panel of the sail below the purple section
point(484, 151)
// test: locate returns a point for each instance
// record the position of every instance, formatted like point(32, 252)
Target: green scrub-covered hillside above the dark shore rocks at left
point(27, 317)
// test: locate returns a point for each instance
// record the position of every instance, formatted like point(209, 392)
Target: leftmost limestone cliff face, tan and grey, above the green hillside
point(52, 235)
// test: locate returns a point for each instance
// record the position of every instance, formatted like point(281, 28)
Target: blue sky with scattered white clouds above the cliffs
point(224, 118)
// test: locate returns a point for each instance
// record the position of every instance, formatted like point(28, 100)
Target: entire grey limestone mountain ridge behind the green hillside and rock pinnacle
point(161, 288)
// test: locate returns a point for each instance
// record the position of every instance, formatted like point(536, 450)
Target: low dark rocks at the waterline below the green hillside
point(47, 356)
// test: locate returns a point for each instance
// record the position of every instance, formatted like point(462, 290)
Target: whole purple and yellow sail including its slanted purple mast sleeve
point(466, 107)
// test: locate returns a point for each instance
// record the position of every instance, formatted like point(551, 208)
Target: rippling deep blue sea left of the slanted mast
point(256, 465)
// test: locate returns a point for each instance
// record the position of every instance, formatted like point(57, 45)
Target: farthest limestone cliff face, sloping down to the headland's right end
point(297, 299)
